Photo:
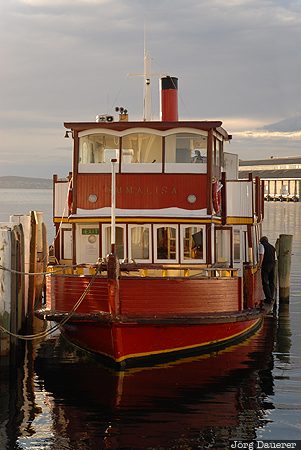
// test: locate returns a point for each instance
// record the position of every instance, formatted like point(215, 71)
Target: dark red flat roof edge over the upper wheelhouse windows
point(156, 125)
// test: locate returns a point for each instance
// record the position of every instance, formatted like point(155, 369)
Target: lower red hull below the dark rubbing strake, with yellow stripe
point(135, 343)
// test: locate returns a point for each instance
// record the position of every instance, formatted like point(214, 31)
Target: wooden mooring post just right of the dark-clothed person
point(284, 266)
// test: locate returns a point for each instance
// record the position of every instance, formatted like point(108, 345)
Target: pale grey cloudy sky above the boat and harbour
point(238, 61)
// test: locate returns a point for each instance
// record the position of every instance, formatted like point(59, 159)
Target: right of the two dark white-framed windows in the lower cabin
point(193, 243)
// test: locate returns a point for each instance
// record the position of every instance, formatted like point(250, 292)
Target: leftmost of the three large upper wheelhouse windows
point(96, 152)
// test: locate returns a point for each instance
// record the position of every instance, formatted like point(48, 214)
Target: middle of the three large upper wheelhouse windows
point(141, 152)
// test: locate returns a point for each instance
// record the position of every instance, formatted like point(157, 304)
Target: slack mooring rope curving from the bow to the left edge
point(43, 334)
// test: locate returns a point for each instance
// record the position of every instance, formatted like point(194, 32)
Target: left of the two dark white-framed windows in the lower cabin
point(166, 249)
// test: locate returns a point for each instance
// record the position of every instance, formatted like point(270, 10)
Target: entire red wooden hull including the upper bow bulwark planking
point(157, 319)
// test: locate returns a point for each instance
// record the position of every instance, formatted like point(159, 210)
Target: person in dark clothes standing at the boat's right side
point(267, 253)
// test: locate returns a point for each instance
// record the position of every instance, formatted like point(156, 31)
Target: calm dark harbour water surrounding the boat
point(58, 400)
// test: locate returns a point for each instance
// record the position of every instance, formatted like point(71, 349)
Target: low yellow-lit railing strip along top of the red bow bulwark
point(146, 270)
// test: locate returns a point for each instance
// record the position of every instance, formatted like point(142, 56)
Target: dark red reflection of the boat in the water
point(203, 401)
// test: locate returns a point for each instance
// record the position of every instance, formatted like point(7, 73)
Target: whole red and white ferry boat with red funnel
point(156, 251)
